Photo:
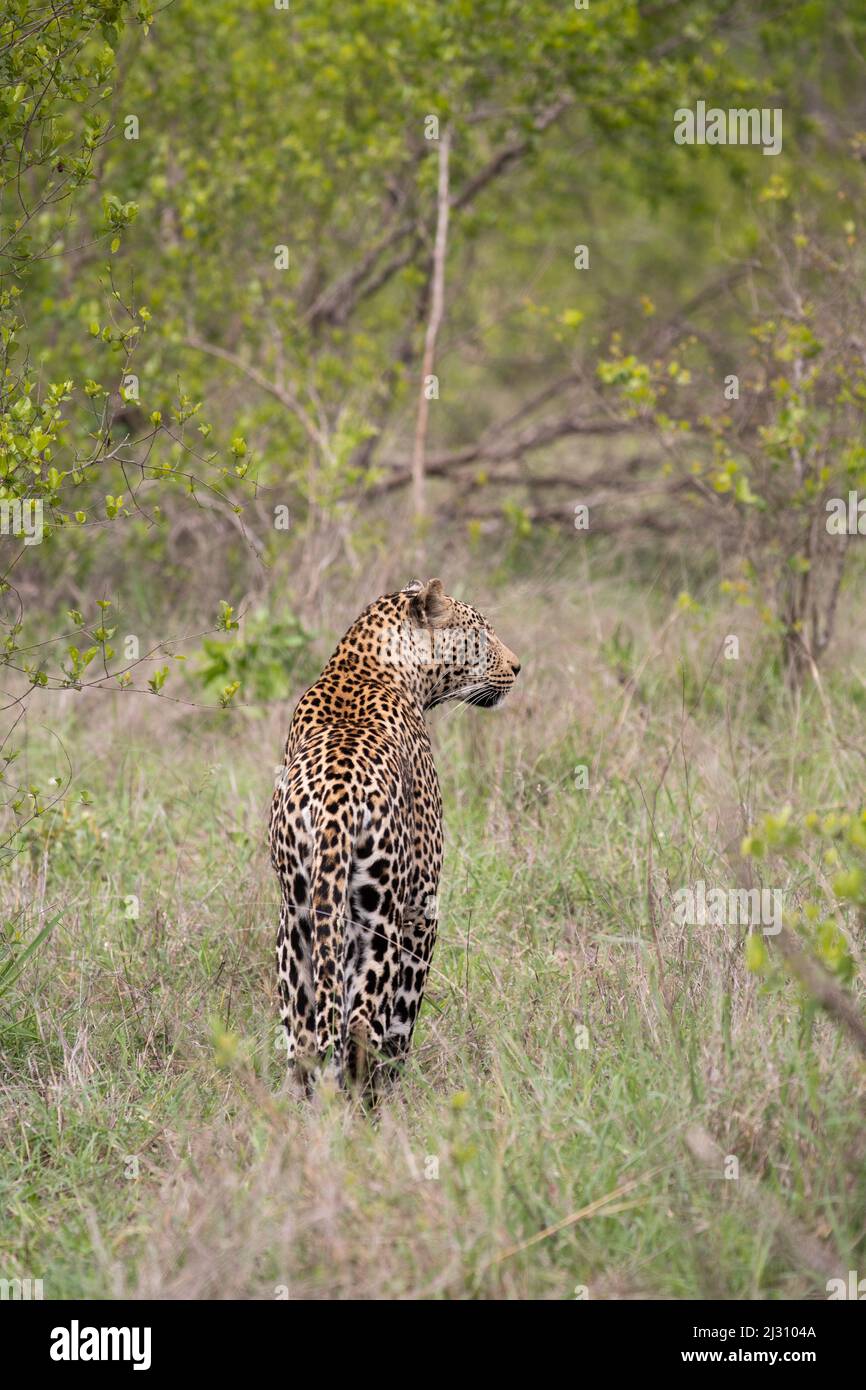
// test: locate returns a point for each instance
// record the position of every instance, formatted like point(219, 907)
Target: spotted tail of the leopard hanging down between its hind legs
point(330, 913)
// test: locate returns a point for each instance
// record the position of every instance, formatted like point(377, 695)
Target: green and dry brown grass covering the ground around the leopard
point(151, 1145)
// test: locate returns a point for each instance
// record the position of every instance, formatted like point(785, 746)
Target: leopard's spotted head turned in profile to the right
point(450, 651)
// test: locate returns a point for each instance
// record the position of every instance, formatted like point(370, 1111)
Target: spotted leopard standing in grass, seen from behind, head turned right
point(357, 831)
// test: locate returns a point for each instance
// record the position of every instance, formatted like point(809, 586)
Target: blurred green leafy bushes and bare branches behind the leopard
point(219, 230)
